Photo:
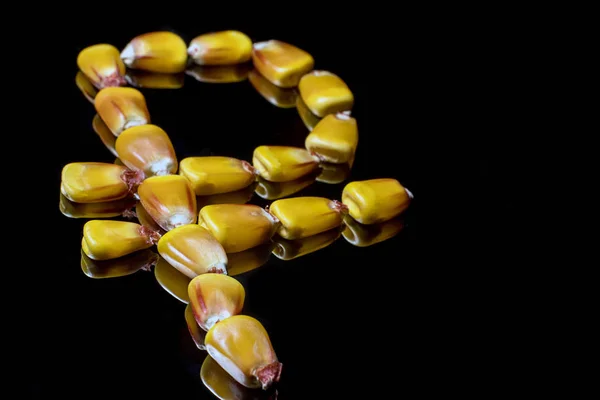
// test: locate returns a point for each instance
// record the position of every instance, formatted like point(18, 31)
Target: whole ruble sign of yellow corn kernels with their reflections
point(195, 210)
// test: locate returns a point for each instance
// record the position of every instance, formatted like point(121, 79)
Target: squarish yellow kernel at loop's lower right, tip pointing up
point(334, 139)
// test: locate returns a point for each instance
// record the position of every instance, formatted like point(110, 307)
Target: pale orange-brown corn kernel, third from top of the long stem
point(147, 148)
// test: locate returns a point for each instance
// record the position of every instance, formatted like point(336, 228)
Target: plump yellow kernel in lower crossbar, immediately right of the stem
point(238, 227)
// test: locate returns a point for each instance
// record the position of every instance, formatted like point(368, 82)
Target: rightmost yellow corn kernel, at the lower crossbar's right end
point(375, 200)
